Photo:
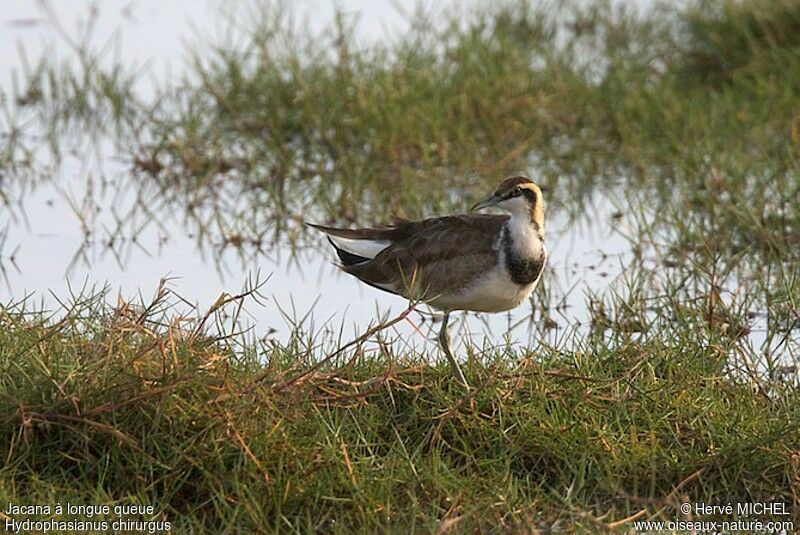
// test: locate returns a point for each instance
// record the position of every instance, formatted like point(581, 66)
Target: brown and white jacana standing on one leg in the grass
point(475, 261)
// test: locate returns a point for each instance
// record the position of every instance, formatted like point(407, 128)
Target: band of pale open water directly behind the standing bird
point(119, 228)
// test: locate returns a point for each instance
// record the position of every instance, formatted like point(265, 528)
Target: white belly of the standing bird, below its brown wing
point(495, 292)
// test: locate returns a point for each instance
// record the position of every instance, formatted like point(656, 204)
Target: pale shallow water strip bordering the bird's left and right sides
point(51, 252)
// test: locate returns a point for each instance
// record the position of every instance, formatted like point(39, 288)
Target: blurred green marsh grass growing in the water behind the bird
point(276, 126)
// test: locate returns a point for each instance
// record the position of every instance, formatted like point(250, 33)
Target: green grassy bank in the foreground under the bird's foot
point(123, 406)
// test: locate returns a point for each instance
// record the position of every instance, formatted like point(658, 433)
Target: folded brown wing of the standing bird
point(435, 256)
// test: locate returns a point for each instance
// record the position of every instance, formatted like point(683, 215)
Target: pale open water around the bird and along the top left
point(84, 225)
